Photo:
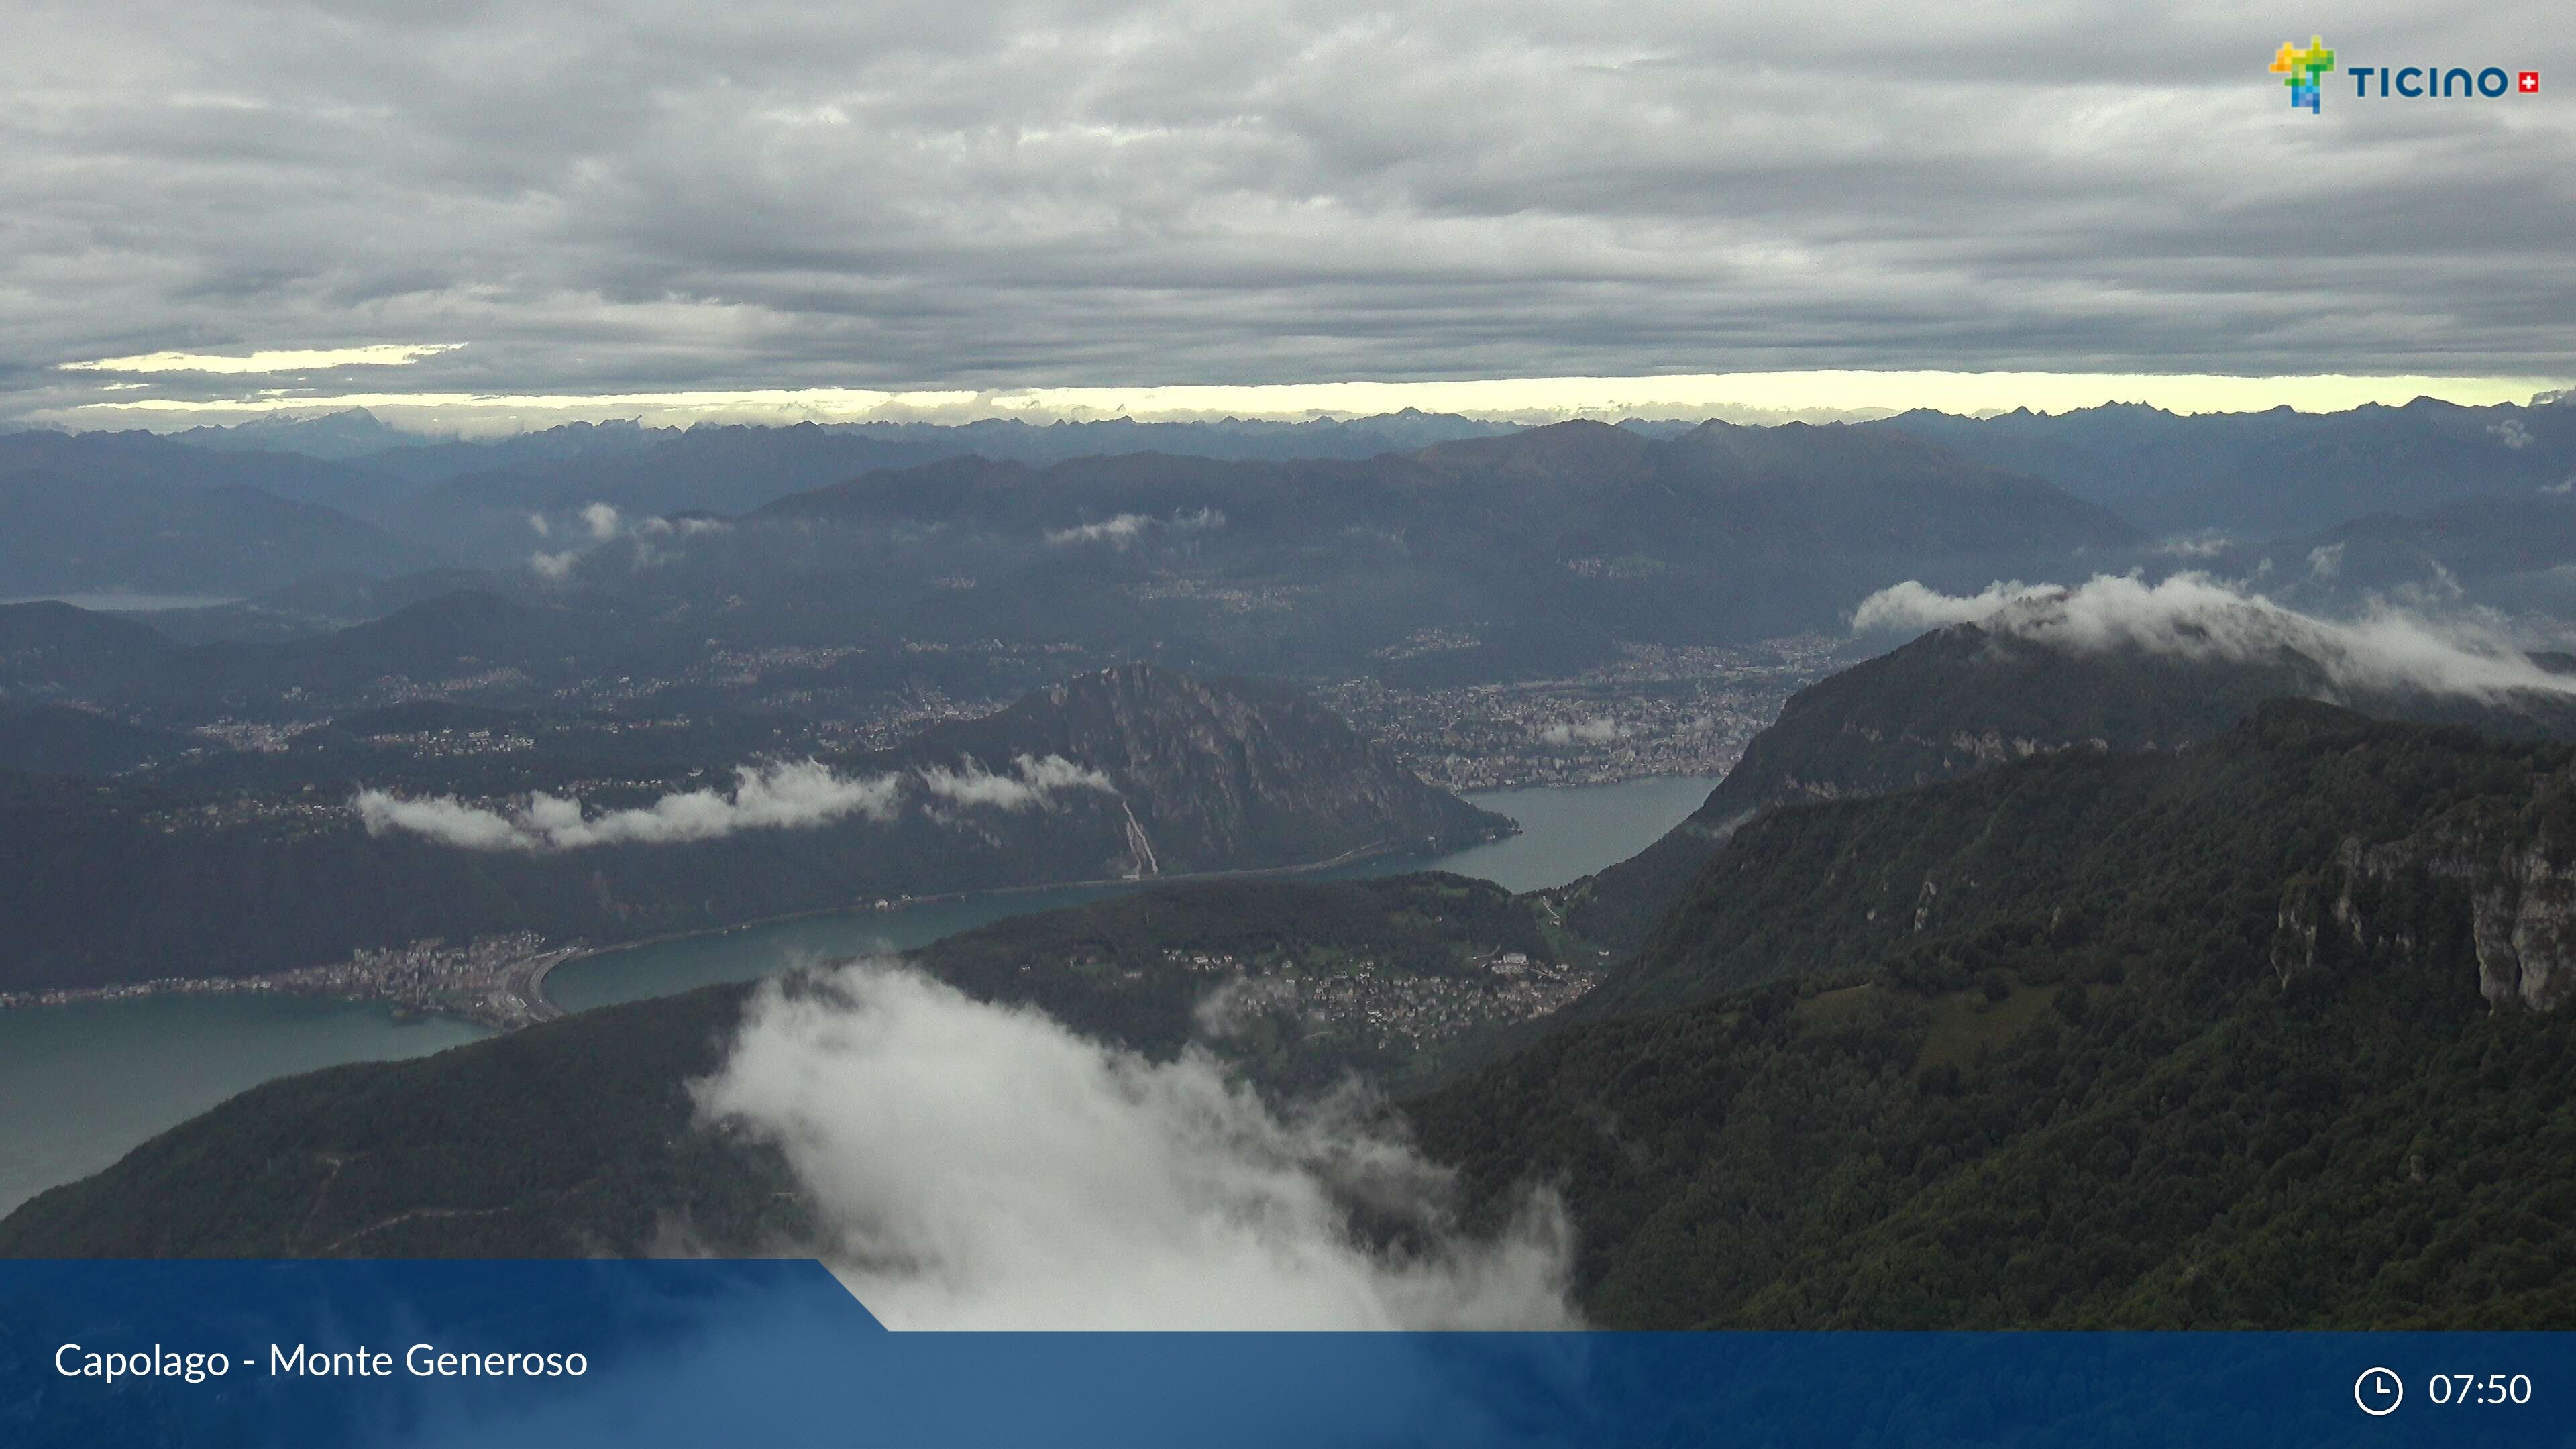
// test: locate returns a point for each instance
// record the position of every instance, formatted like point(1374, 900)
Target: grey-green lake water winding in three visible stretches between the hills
point(86, 1084)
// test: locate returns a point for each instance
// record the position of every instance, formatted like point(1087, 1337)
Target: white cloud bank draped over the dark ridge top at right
point(2199, 618)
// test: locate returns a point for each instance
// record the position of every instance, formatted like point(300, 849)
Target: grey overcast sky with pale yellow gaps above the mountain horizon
point(645, 200)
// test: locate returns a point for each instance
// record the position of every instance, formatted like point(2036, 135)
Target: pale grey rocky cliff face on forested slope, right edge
point(2521, 896)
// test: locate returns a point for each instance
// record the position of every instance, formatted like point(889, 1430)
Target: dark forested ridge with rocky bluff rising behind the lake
point(1132, 772)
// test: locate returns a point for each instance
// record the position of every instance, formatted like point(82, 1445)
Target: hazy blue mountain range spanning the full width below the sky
point(1614, 527)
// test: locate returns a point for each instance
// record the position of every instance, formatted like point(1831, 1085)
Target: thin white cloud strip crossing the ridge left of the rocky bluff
point(777, 798)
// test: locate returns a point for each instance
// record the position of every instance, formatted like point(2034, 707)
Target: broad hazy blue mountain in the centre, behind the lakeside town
point(1493, 558)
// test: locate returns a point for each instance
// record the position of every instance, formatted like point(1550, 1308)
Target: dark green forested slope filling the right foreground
point(2227, 1038)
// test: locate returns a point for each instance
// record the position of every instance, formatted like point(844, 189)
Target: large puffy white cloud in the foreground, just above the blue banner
point(980, 1167)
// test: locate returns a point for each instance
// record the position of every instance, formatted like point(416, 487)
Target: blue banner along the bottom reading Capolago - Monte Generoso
point(777, 1352)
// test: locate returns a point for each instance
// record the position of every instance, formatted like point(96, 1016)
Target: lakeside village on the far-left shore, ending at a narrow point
point(493, 981)
